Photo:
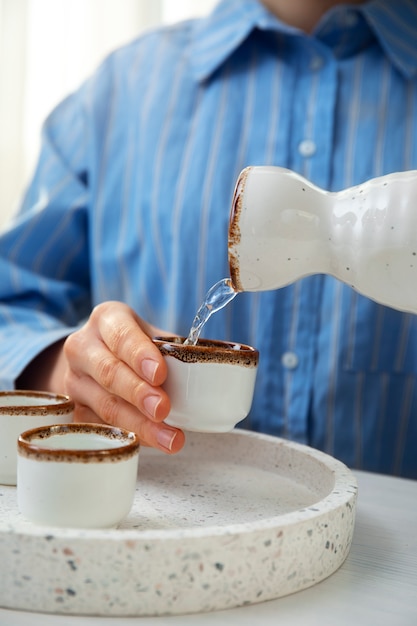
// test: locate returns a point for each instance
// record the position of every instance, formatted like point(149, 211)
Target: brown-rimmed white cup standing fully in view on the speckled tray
point(77, 475)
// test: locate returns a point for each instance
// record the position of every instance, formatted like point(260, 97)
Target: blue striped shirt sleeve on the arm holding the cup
point(44, 271)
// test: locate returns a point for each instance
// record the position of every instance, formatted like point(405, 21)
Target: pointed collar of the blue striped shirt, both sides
point(217, 36)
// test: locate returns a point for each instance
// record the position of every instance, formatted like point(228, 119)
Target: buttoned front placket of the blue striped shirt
point(310, 154)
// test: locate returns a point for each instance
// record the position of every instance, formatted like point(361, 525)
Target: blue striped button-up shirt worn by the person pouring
point(131, 197)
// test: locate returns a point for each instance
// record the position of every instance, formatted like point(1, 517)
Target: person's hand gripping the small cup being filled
point(113, 372)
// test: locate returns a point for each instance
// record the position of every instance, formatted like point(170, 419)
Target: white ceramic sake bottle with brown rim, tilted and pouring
point(283, 228)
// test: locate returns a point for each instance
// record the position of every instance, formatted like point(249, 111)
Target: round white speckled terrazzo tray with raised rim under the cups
point(233, 519)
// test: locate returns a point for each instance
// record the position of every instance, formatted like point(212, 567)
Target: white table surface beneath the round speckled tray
point(377, 584)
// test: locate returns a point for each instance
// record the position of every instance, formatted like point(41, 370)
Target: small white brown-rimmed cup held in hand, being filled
point(210, 384)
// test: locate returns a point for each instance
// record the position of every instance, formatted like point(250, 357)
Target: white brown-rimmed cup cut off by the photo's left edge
point(21, 410)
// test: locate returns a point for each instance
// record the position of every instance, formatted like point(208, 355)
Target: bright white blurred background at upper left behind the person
point(47, 48)
